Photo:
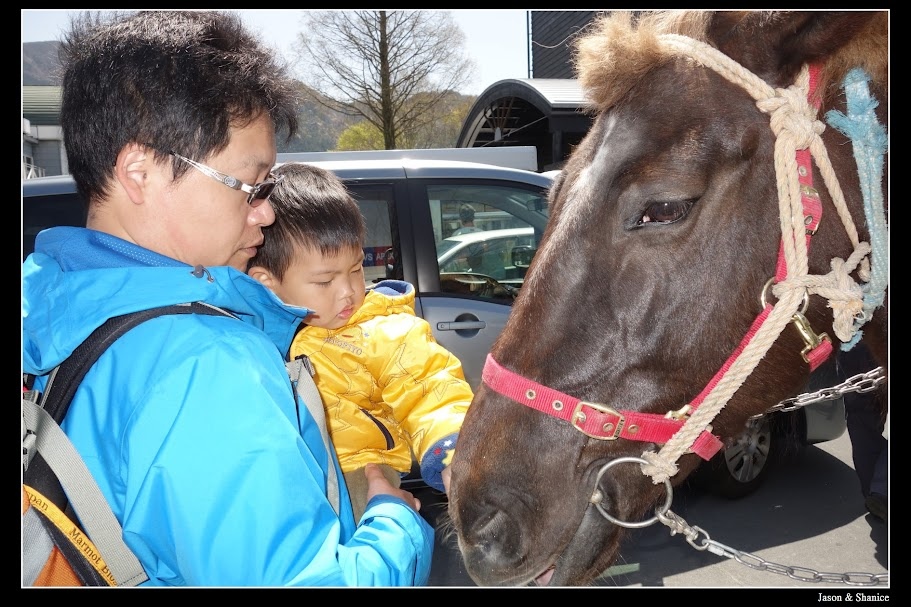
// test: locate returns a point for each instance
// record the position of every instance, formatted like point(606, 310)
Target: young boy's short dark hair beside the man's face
point(313, 208)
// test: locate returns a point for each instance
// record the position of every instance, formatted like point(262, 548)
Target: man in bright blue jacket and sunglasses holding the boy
point(188, 422)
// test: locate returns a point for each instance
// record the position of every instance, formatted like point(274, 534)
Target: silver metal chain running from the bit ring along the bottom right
point(802, 574)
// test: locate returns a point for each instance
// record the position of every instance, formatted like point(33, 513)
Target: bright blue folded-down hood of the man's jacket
point(112, 277)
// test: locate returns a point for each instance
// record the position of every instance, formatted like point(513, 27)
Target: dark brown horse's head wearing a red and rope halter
point(685, 263)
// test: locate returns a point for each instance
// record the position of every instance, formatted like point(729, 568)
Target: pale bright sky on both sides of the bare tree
point(496, 39)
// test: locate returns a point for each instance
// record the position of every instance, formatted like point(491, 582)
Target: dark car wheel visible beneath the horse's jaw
point(740, 469)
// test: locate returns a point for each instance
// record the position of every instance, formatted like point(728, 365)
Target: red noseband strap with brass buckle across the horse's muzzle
point(592, 419)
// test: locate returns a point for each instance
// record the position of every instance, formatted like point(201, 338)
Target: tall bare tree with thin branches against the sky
point(392, 68)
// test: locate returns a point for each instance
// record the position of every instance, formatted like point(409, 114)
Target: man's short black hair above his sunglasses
point(174, 80)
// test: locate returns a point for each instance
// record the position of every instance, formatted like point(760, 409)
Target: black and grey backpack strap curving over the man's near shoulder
point(57, 470)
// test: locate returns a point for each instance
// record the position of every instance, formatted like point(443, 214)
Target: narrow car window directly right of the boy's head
point(381, 243)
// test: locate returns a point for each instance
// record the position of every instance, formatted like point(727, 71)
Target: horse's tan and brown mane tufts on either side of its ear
point(620, 48)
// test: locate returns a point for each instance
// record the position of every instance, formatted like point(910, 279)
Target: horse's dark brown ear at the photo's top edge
point(789, 38)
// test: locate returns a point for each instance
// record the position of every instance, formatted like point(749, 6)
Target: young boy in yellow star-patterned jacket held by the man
point(388, 387)
